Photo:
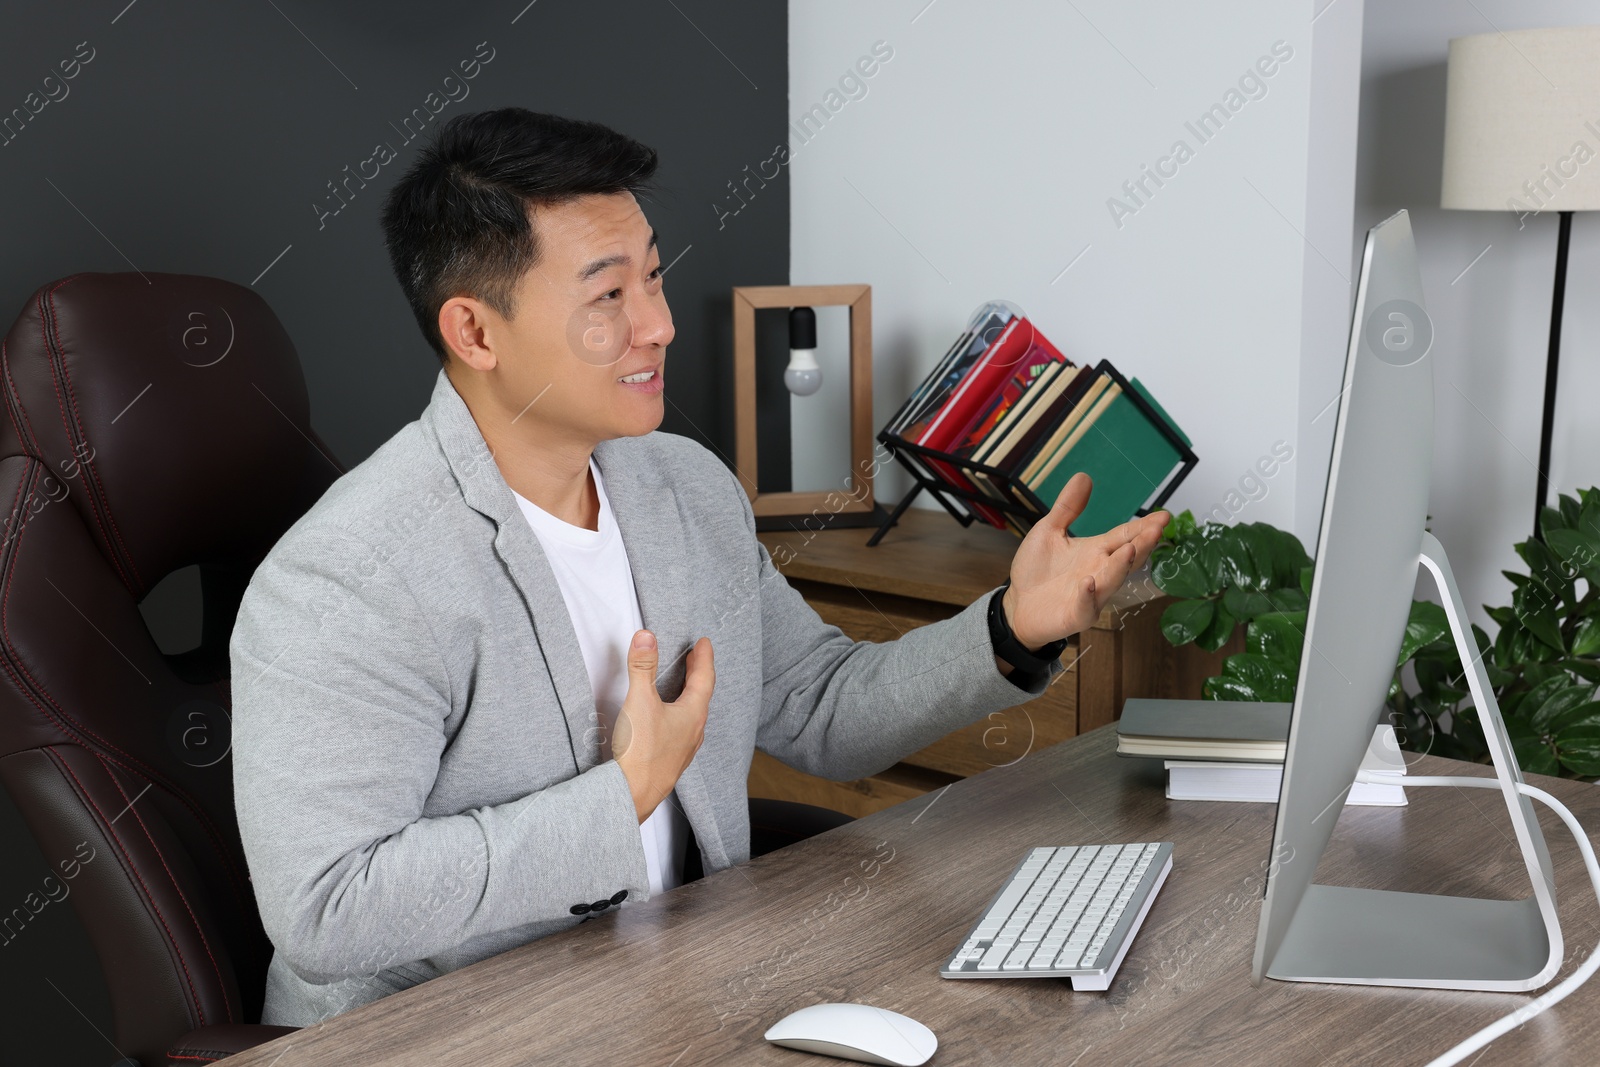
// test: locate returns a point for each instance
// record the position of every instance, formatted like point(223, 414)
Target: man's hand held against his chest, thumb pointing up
point(654, 741)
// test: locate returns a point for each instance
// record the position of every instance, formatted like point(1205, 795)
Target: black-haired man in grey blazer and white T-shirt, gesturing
point(452, 676)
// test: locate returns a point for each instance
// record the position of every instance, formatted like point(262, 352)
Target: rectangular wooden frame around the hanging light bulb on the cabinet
point(857, 494)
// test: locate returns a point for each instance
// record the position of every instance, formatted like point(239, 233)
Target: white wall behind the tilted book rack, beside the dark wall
point(980, 161)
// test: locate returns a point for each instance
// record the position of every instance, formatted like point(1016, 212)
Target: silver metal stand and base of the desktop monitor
point(1382, 938)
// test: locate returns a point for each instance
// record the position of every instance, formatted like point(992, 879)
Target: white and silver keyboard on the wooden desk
point(1066, 913)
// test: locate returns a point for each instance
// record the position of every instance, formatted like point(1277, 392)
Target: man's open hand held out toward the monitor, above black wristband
point(1060, 583)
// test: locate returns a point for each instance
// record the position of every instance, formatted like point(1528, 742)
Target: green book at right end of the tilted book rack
point(1126, 455)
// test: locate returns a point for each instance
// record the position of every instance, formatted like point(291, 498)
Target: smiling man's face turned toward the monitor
point(586, 350)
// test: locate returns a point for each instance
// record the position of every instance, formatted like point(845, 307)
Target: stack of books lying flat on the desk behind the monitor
point(1236, 749)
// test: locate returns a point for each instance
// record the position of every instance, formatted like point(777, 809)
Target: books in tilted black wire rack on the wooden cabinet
point(1006, 420)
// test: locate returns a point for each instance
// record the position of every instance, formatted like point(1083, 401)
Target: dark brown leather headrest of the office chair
point(170, 412)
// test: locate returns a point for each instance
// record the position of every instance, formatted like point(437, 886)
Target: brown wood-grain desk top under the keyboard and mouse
point(870, 913)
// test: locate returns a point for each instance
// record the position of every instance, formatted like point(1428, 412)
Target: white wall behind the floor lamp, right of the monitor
point(1492, 324)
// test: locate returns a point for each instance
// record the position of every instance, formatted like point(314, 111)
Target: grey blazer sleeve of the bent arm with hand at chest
point(340, 711)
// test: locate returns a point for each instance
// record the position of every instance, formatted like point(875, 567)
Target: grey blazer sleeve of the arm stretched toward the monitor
point(846, 709)
